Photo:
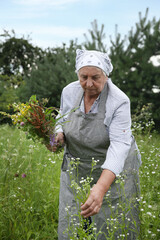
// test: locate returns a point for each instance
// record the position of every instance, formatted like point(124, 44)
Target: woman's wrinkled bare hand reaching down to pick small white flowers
point(94, 202)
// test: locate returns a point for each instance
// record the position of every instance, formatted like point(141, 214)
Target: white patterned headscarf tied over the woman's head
point(93, 58)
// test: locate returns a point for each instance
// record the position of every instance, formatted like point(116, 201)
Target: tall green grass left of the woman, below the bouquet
point(29, 186)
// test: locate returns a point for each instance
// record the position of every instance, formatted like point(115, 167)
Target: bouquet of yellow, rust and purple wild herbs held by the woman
point(37, 121)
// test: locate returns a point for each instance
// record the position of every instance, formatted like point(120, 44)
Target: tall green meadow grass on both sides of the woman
point(29, 187)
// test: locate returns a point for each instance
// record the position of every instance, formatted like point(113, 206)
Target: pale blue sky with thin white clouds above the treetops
point(50, 23)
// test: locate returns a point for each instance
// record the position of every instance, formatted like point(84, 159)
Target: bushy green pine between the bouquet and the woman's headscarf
point(51, 74)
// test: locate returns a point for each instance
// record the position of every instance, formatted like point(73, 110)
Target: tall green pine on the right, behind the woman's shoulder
point(133, 70)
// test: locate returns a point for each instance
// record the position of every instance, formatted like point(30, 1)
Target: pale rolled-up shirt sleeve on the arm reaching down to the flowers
point(120, 138)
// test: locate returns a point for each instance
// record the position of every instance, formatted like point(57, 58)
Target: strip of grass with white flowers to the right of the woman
point(149, 146)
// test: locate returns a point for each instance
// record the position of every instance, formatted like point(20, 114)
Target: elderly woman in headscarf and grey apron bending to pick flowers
point(99, 128)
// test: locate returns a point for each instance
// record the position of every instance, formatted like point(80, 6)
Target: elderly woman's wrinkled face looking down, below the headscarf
point(92, 80)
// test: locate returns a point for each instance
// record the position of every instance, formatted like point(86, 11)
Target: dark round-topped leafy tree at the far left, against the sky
point(17, 55)
